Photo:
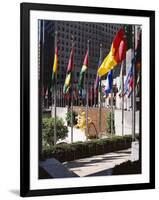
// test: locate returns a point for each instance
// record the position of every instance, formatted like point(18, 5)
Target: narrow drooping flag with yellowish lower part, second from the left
point(68, 79)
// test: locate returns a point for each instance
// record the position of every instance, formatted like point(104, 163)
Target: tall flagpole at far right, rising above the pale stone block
point(134, 98)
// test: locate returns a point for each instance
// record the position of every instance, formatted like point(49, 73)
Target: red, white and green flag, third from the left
point(82, 72)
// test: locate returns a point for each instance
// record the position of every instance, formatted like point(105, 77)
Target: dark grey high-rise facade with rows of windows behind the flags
point(97, 33)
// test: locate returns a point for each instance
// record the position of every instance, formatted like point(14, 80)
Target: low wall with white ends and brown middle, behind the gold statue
point(93, 113)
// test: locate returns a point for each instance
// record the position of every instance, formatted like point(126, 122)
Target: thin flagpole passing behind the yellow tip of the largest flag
point(100, 104)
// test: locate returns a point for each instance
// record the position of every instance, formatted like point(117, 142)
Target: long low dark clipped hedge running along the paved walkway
point(77, 150)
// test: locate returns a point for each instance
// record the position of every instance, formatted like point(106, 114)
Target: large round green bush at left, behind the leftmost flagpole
point(48, 131)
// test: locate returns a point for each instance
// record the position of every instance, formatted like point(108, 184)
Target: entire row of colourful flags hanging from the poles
point(116, 55)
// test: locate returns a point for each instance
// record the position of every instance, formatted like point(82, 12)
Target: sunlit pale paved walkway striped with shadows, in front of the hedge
point(98, 165)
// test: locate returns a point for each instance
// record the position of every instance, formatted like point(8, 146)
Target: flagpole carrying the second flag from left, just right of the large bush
point(72, 80)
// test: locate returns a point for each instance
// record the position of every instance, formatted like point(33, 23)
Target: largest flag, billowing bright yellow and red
point(116, 55)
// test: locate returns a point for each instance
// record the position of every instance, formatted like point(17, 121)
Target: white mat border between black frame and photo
point(36, 183)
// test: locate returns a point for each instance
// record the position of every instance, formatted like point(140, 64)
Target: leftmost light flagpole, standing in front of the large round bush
point(54, 96)
